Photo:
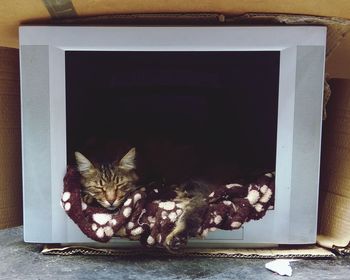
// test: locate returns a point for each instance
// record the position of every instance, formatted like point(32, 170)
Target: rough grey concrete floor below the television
point(24, 261)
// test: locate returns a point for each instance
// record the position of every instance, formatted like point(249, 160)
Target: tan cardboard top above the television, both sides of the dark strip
point(16, 12)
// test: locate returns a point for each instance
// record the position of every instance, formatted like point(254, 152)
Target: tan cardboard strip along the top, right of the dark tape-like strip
point(338, 8)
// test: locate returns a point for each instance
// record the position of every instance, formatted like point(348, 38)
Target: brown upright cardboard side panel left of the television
point(10, 142)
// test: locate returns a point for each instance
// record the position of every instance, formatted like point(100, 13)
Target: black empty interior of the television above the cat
point(217, 107)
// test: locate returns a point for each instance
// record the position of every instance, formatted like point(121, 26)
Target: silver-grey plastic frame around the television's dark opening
point(302, 52)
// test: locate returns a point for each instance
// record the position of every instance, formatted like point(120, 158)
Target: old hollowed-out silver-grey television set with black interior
point(254, 94)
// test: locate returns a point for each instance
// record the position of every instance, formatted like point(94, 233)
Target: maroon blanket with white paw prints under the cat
point(152, 213)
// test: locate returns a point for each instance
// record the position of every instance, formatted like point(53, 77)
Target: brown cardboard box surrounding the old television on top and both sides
point(334, 221)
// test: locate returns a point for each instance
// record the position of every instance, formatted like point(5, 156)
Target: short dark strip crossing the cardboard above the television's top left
point(60, 8)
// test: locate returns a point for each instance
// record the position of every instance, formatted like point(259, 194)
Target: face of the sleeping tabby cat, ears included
point(108, 184)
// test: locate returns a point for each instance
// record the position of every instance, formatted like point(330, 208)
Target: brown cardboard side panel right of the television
point(334, 210)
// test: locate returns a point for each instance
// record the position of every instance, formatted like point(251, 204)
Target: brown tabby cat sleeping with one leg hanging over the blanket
point(110, 184)
